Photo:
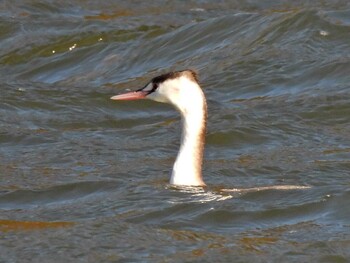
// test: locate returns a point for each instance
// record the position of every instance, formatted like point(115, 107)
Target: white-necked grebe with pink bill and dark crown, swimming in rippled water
point(182, 90)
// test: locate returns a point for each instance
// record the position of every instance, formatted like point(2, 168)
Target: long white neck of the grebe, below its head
point(187, 169)
